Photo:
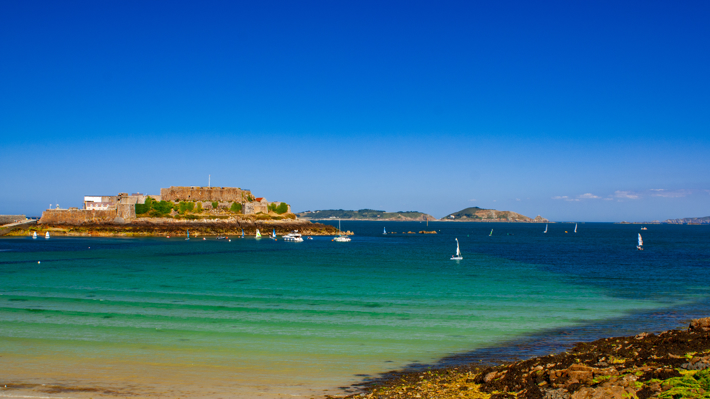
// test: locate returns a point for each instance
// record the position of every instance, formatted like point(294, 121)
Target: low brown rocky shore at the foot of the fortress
point(162, 228)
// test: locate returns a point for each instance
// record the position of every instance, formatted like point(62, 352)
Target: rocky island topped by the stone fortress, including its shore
point(202, 210)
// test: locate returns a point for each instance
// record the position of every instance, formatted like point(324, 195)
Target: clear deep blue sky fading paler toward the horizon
point(579, 111)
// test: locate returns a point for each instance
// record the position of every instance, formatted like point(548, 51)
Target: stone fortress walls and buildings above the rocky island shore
point(122, 207)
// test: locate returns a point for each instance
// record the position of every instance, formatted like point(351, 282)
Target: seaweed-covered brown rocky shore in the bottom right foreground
point(670, 365)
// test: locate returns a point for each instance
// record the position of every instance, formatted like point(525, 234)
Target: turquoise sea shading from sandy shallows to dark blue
point(274, 319)
